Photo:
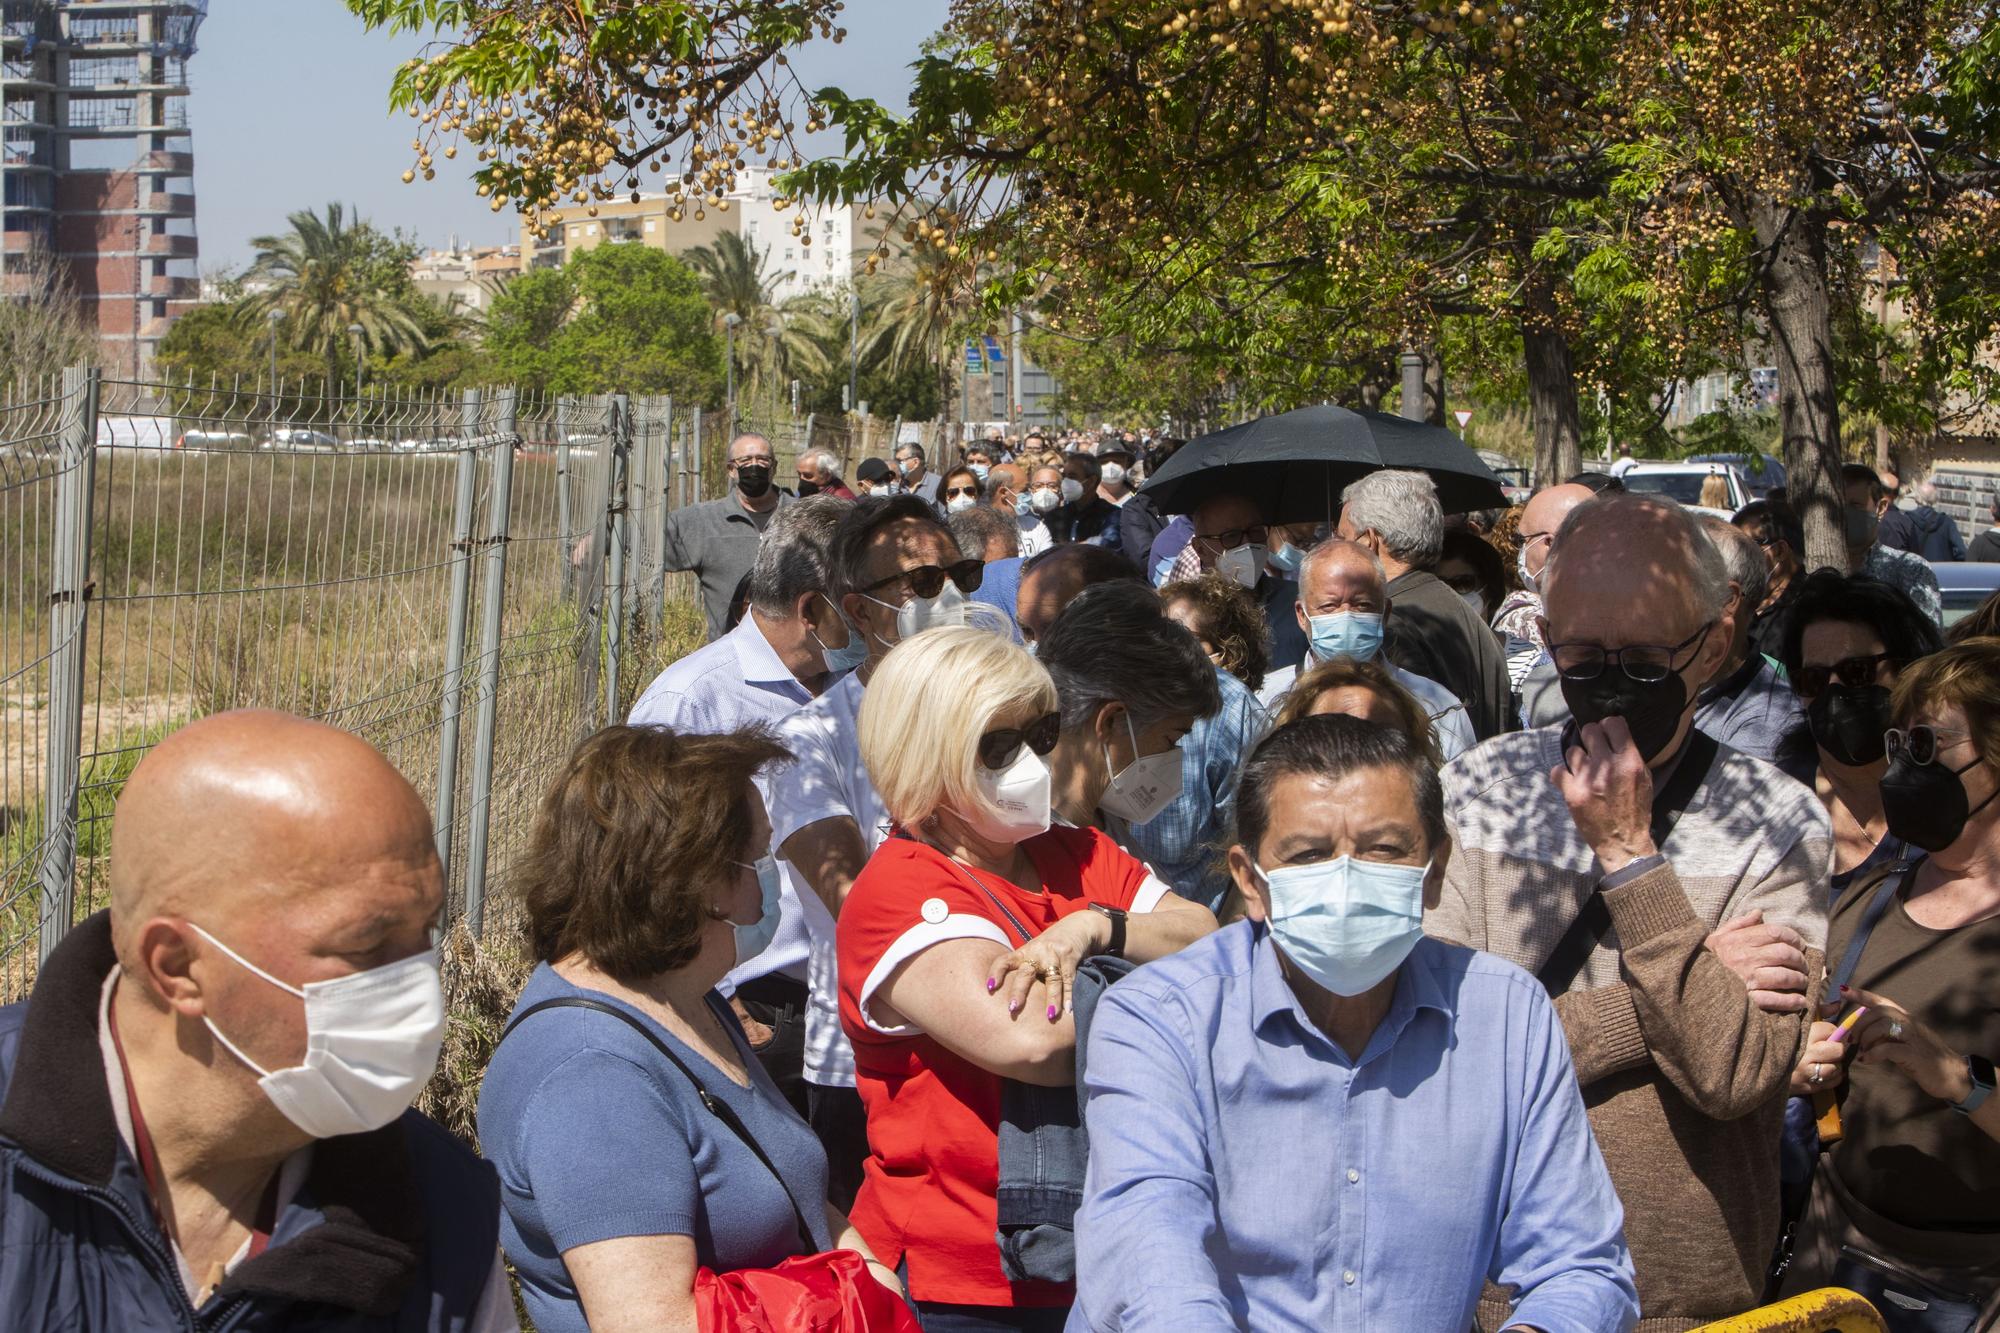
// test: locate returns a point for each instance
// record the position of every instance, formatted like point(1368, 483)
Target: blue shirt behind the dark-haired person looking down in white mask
point(1183, 844)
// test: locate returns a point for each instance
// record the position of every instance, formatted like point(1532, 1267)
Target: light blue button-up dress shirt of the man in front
point(1245, 1174)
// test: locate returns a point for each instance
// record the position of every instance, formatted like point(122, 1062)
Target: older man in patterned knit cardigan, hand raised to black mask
point(1651, 880)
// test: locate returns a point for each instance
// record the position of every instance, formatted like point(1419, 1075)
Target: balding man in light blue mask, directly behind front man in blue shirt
point(1345, 609)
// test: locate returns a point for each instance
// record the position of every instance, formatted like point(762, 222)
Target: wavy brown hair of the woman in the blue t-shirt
point(631, 840)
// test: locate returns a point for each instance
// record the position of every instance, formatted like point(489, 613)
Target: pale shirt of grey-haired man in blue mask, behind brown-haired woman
point(733, 684)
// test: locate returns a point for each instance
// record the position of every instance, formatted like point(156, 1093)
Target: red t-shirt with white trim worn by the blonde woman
point(935, 1118)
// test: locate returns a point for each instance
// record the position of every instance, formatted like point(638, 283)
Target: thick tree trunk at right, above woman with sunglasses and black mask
point(1799, 315)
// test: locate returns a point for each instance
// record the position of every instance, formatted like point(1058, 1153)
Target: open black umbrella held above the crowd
point(1295, 465)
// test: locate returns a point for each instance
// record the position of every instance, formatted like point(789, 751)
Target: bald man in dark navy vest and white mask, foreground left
point(207, 1096)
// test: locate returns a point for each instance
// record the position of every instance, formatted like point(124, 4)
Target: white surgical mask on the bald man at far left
point(371, 1046)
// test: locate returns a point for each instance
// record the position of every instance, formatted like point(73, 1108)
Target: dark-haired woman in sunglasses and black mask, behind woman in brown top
point(1845, 643)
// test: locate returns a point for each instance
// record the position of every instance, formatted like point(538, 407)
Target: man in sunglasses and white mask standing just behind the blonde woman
point(893, 571)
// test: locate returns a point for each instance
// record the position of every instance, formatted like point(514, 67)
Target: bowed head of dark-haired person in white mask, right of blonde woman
point(1129, 688)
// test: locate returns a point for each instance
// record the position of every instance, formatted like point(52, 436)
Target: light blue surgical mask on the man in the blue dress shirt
point(1347, 924)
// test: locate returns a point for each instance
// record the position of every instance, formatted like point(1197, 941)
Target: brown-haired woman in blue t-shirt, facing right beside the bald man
point(617, 1176)
